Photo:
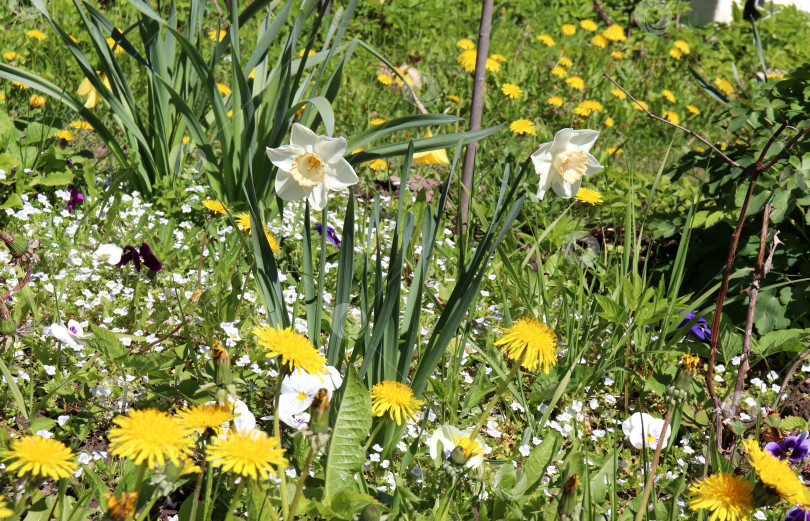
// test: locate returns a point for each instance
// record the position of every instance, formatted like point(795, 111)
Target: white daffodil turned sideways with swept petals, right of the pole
point(562, 163)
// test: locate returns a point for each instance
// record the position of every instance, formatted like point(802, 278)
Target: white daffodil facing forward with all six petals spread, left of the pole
point(310, 166)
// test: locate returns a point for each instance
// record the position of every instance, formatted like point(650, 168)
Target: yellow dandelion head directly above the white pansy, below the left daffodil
point(295, 350)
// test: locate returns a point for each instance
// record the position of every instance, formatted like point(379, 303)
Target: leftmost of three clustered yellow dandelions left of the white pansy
point(150, 435)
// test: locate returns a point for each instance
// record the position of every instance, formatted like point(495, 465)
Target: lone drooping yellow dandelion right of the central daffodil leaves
point(531, 343)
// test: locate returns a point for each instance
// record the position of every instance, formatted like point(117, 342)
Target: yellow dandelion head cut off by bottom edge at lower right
point(729, 497)
